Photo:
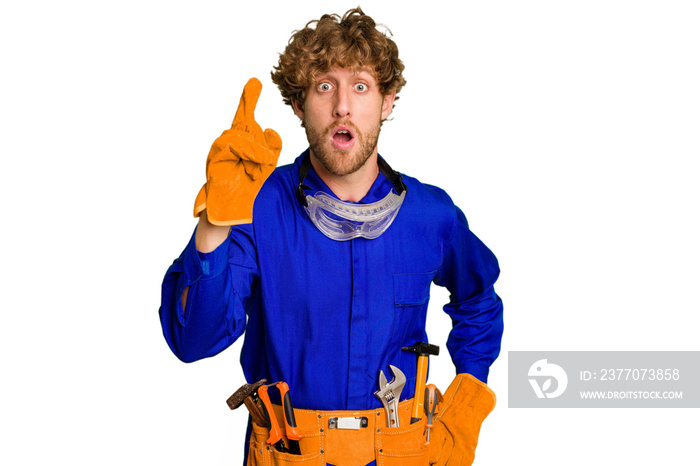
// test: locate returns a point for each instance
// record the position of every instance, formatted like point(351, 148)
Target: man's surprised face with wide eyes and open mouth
point(342, 115)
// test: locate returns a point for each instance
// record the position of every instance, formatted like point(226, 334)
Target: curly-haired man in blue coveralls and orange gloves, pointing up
point(329, 271)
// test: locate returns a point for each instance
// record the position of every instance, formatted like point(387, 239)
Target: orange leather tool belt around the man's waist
point(346, 438)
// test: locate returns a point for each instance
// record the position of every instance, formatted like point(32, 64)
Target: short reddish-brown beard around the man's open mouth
point(342, 162)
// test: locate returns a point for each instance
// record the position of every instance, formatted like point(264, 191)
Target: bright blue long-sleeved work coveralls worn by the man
point(332, 314)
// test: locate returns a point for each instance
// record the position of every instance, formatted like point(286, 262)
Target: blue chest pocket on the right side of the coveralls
point(411, 295)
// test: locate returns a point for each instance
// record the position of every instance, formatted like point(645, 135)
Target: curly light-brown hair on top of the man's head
point(351, 42)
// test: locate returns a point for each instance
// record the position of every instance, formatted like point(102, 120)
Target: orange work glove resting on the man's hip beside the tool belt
point(458, 420)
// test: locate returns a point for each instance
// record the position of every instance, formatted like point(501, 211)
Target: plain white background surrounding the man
point(567, 131)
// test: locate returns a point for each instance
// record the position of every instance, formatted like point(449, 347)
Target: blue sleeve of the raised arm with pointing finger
point(220, 282)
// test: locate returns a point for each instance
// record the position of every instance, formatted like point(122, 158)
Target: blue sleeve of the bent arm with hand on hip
point(469, 271)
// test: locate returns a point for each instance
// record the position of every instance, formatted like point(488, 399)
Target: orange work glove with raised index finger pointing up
point(239, 162)
